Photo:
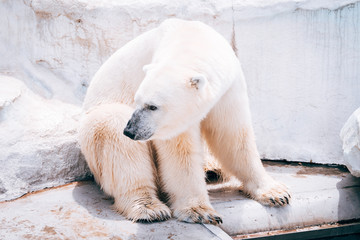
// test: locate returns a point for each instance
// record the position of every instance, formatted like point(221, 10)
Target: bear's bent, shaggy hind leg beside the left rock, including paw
point(122, 167)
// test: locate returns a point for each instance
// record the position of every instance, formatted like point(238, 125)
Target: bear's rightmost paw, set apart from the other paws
point(271, 193)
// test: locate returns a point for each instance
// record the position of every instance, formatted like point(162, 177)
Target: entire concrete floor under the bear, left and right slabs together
point(81, 211)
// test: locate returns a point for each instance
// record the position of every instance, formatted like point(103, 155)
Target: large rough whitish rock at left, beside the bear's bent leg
point(38, 141)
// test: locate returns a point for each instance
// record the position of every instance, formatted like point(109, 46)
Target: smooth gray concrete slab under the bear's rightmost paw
point(319, 195)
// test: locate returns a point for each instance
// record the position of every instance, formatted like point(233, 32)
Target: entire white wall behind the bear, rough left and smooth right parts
point(301, 58)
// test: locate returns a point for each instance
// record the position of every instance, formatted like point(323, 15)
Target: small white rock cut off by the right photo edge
point(350, 135)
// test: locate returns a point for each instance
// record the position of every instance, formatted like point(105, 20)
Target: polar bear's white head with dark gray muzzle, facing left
point(168, 102)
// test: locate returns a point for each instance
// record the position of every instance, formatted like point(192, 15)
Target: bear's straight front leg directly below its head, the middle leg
point(183, 178)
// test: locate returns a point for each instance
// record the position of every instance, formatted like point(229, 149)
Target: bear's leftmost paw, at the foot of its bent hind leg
point(150, 212)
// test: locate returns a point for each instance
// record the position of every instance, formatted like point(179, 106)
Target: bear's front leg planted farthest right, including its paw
point(229, 133)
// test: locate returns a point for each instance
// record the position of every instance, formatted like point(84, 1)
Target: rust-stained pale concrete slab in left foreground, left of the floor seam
point(82, 211)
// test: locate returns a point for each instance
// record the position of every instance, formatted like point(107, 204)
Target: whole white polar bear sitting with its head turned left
point(147, 112)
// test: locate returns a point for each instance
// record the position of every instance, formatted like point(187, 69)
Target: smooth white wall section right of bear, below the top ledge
point(303, 74)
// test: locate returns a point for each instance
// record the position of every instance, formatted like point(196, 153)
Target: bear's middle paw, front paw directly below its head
point(198, 214)
